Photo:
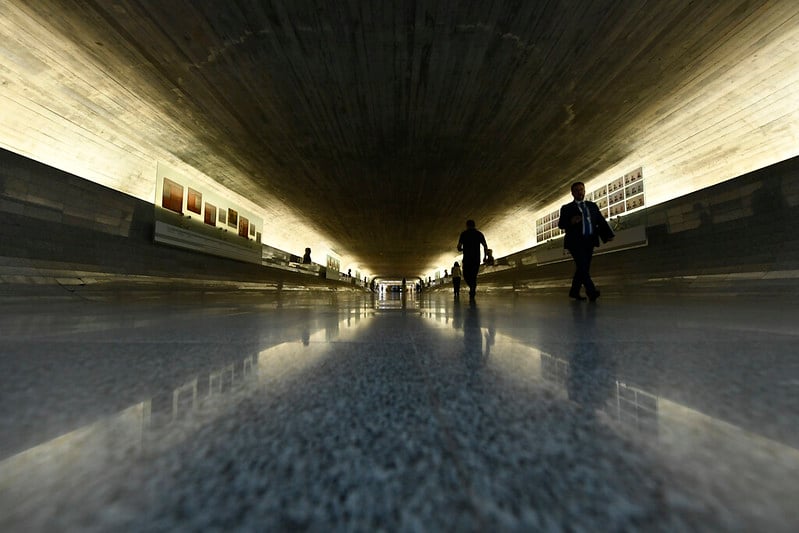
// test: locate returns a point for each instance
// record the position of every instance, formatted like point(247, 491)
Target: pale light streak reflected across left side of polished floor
point(85, 454)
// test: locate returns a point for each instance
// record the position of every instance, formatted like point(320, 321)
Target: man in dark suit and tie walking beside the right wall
point(584, 226)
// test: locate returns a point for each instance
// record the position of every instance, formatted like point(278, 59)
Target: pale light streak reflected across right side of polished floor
point(723, 457)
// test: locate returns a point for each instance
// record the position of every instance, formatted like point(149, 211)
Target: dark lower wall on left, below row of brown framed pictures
point(57, 229)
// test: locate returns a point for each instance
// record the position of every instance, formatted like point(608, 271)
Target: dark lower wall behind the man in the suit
point(738, 237)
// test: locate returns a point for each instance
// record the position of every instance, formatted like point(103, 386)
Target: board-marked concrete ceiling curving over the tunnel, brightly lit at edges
point(385, 125)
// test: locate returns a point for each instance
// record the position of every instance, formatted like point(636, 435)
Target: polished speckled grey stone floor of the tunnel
point(251, 412)
